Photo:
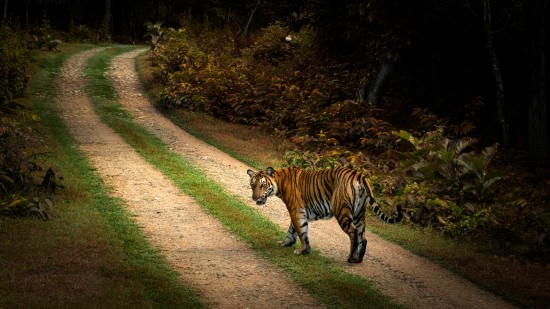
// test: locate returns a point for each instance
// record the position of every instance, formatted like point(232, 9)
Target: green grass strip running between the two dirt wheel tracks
point(337, 288)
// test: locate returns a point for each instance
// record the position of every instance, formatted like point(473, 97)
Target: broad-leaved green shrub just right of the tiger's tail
point(448, 186)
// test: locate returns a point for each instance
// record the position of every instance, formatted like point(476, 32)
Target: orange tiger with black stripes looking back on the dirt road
point(313, 195)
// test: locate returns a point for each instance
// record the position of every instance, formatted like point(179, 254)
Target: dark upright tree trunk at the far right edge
point(538, 113)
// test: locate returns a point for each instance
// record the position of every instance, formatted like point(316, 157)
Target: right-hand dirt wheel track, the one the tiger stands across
point(409, 279)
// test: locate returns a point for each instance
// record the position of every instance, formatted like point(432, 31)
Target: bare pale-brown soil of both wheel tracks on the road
point(223, 270)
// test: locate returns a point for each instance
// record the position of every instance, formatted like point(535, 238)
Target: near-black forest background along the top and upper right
point(448, 56)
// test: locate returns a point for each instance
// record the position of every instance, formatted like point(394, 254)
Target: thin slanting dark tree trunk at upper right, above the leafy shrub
point(501, 106)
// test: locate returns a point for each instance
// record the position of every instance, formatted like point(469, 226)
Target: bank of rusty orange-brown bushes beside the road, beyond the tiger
point(272, 83)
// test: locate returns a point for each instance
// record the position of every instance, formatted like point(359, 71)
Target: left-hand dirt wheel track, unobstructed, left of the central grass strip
point(208, 258)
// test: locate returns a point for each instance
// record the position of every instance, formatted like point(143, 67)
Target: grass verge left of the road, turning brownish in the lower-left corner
point(90, 254)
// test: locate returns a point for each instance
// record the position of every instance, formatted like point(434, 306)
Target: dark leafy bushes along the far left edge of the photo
point(19, 142)
